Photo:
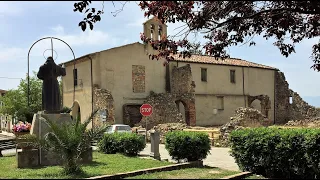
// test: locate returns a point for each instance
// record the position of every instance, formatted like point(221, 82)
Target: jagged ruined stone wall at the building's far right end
point(299, 109)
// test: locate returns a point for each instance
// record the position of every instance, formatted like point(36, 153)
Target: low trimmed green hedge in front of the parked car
point(129, 144)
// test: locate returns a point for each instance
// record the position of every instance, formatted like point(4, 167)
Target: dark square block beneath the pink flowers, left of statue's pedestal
point(27, 159)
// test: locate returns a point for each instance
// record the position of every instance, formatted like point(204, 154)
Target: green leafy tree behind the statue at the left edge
point(16, 102)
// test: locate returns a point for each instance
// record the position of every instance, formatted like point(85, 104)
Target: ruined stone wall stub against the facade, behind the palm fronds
point(103, 100)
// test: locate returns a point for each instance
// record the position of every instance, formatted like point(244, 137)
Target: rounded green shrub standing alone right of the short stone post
point(187, 145)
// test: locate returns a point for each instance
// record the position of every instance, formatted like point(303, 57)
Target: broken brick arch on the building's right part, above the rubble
point(265, 103)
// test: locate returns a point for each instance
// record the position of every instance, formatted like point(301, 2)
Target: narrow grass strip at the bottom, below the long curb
point(189, 173)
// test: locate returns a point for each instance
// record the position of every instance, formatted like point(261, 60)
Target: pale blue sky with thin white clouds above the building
point(22, 23)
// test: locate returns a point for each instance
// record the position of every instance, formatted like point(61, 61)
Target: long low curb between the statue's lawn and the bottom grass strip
point(150, 170)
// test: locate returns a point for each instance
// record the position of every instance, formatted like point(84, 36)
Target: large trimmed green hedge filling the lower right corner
point(278, 153)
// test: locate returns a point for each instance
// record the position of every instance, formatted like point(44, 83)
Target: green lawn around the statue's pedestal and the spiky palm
point(103, 164)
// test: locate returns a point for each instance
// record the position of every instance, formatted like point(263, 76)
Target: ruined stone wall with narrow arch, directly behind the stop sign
point(164, 105)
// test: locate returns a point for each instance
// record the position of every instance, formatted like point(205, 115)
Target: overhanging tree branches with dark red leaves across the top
point(229, 23)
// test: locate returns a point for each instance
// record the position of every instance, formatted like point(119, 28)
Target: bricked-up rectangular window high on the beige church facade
point(138, 78)
